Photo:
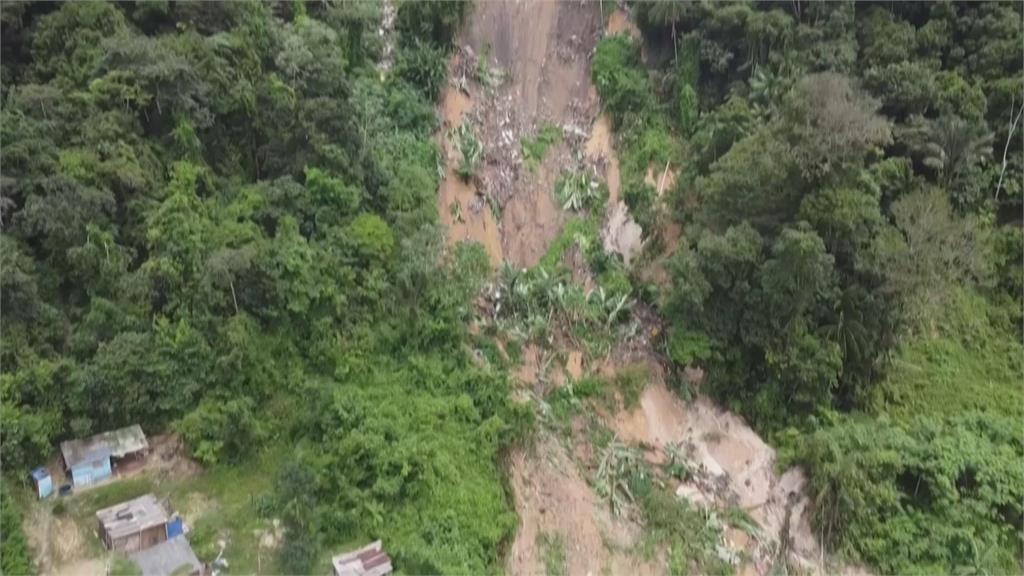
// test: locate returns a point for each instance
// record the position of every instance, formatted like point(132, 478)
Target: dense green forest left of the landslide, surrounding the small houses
point(219, 219)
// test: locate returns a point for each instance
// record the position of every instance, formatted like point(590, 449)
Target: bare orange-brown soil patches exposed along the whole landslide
point(542, 51)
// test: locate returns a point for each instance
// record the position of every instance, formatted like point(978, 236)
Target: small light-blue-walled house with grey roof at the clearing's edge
point(96, 459)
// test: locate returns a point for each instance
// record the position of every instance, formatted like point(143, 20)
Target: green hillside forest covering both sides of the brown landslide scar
point(221, 220)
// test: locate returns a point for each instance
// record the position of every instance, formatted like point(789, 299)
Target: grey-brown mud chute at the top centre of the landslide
point(543, 49)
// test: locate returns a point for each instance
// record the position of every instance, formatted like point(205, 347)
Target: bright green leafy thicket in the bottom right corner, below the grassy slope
point(933, 496)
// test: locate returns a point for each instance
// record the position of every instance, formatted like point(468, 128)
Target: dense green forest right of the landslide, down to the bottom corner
point(851, 187)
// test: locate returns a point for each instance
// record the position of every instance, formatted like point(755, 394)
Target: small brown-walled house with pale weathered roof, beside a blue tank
point(133, 526)
